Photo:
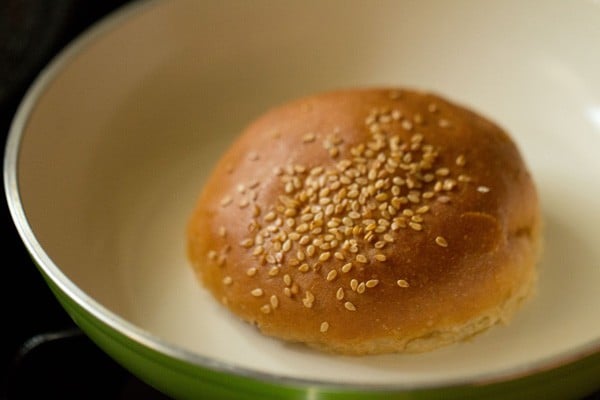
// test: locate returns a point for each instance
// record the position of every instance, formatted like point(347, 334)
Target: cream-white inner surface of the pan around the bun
point(120, 141)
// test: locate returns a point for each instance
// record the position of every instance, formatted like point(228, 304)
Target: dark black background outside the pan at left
point(42, 352)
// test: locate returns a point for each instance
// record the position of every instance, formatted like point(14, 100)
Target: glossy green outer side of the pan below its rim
point(182, 379)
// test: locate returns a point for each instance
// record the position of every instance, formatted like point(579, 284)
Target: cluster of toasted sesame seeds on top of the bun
point(352, 206)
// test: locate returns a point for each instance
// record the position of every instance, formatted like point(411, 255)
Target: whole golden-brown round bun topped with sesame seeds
point(436, 198)
